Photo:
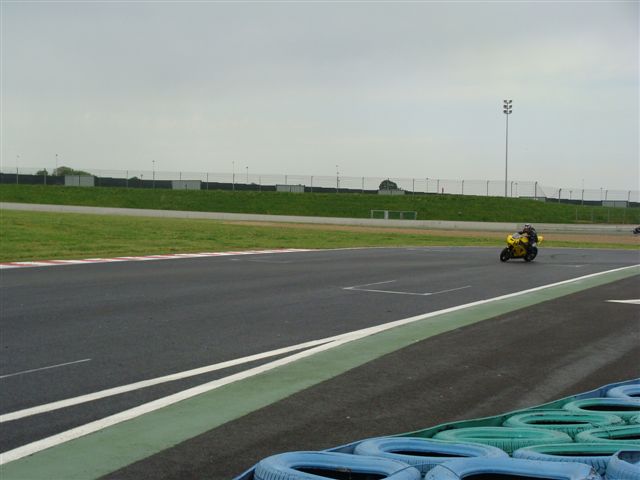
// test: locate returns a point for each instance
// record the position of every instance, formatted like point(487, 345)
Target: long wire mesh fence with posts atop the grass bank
point(246, 180)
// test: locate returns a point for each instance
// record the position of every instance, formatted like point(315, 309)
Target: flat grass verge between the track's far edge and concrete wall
point(38, 235)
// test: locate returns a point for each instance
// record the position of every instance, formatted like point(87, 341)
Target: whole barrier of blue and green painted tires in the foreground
point(580, 439)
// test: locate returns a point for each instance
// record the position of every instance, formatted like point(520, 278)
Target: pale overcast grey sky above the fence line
point(377, 89)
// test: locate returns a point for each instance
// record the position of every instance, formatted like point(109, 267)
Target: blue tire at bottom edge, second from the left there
point(511, 468)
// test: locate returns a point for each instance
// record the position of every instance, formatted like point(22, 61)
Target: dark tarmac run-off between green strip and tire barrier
point(532, 356)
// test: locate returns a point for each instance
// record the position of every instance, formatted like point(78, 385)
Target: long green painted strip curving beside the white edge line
point(103, 452)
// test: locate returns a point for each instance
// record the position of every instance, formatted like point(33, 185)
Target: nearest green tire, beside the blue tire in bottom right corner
point(597, 455)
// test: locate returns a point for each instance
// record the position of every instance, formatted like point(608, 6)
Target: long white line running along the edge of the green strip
point(97, 425)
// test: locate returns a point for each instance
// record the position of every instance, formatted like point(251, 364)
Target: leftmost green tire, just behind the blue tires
point(508, 439)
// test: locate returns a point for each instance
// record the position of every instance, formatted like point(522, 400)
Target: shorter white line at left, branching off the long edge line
point(48, 407)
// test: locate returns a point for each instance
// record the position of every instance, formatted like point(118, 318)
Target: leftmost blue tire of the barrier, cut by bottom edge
point(314, 465)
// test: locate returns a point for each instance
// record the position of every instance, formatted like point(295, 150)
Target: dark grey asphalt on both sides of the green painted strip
point(75, 330)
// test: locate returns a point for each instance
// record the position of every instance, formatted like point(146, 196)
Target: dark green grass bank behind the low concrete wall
point(429, 207)
